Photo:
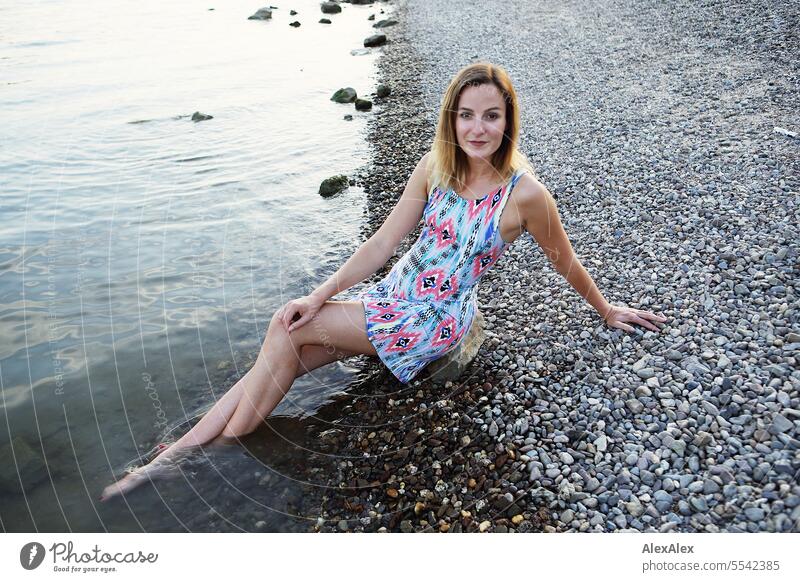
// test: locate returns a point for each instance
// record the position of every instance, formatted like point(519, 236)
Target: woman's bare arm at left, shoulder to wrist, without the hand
point(376, 250)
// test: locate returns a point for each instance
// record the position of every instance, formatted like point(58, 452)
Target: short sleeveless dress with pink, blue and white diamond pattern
point(425, 305)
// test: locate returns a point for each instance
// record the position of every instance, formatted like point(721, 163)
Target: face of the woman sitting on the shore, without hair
point(480, 120)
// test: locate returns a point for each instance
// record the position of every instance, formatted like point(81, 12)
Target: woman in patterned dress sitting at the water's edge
point(426, 304)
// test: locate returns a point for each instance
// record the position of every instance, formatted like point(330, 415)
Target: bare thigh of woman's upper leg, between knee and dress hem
point(338, 326)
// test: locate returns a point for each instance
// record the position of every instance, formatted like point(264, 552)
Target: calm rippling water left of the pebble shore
point(142, 254)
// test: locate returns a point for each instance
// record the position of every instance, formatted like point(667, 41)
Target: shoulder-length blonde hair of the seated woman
point(448, 163)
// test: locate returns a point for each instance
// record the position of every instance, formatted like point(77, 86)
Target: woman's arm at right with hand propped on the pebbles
point(538, 210)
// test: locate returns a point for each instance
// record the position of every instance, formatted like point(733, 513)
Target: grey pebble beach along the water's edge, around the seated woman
point(668, 134)
